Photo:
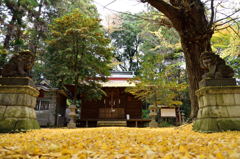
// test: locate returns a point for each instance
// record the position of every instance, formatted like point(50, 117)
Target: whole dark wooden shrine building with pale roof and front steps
point(117, 108)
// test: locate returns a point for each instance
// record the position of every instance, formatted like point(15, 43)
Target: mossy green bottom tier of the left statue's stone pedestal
point(17, 125)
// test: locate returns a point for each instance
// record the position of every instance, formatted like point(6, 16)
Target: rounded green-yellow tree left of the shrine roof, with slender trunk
point(78, 51)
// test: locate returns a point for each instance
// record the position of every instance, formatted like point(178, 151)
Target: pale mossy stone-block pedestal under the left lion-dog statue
point(17, 104)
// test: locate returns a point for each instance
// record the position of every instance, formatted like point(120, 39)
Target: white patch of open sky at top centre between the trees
point(109, 7)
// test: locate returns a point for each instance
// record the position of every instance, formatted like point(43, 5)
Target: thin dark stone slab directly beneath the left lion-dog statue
point(16, 81)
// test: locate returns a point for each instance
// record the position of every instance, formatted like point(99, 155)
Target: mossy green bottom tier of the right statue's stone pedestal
point(216, 124)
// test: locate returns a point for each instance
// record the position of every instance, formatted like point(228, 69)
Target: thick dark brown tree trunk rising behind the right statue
point(188, 18)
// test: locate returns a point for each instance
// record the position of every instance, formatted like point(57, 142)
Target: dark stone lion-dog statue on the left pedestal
point(20, 65)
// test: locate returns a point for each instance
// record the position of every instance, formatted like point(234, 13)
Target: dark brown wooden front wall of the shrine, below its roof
point(115, 105)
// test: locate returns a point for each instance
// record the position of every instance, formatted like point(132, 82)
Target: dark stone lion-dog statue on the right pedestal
point(214, 66)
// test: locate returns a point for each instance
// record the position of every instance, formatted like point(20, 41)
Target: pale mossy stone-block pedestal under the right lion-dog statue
point(219, 109)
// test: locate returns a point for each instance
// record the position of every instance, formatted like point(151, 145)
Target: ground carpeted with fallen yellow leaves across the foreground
point(120, 143)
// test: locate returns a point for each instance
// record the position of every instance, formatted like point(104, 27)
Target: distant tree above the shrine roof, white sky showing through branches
point(126, 39)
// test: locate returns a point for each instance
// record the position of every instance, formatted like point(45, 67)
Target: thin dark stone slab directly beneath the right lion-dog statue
point(217, 82)
